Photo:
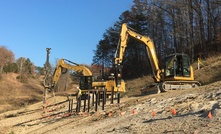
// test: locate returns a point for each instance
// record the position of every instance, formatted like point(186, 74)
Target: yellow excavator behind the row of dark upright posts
point(86, 79)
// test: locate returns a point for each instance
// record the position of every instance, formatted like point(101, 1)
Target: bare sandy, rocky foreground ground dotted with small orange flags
point(190, 111)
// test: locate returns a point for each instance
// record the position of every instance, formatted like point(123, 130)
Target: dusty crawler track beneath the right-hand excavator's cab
point(177, 85)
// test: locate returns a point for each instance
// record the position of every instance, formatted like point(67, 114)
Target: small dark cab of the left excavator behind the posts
point(86, 82)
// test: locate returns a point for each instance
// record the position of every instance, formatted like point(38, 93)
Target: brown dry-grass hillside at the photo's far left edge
point(14, 94)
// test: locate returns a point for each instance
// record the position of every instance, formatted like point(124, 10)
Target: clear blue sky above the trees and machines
point(71, 28)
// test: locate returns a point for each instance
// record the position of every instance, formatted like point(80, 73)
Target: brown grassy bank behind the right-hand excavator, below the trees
point(209, 72)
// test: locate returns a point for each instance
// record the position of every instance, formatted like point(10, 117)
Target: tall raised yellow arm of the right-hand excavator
point(122, 44)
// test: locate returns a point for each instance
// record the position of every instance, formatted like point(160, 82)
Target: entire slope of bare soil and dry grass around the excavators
point(181, 111)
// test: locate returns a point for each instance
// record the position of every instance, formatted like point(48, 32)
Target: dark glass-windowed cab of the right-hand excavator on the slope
point(177, 66)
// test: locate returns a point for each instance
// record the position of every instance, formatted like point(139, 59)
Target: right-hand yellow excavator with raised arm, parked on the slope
point(177, 73)
